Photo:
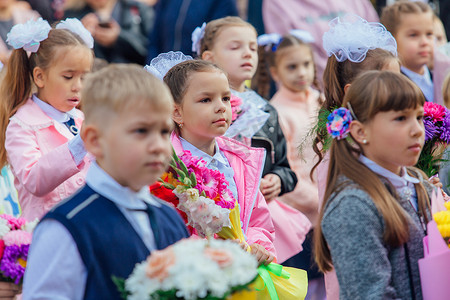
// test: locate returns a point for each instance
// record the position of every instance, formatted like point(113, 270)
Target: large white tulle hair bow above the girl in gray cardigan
point(350, 37)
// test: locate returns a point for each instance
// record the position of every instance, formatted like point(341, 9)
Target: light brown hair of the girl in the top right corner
point(392, 14)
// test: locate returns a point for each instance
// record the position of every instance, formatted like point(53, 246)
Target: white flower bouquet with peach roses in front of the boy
point(191, 269)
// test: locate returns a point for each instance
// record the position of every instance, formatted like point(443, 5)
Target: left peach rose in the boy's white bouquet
point(159, 263)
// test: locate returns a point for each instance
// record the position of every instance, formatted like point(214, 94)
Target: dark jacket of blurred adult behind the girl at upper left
point(136, 21)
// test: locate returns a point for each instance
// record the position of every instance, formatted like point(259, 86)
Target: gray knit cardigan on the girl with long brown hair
point(365, 266)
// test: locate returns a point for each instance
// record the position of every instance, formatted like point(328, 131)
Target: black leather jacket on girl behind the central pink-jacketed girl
point(271, 138)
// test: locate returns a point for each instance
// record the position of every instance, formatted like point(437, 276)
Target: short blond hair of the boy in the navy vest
point(119, 86)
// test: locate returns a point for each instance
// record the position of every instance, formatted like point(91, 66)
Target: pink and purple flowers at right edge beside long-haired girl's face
point(437, 136)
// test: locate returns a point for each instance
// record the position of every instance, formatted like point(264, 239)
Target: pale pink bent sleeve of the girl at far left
point(39, 173)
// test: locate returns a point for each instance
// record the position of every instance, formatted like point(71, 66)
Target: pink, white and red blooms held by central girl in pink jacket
point(199, 194)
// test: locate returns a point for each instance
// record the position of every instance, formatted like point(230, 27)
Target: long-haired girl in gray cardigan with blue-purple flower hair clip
point(373, 220)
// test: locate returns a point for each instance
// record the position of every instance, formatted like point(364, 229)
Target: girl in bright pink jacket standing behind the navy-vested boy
point(202, 115)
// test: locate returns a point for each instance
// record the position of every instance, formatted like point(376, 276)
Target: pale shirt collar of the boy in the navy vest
point(104, 184)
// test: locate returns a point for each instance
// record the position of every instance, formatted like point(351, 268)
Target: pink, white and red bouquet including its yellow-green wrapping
point(202, 197)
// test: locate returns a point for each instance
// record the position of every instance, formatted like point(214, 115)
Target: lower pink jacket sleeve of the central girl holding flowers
point(260, 228)
